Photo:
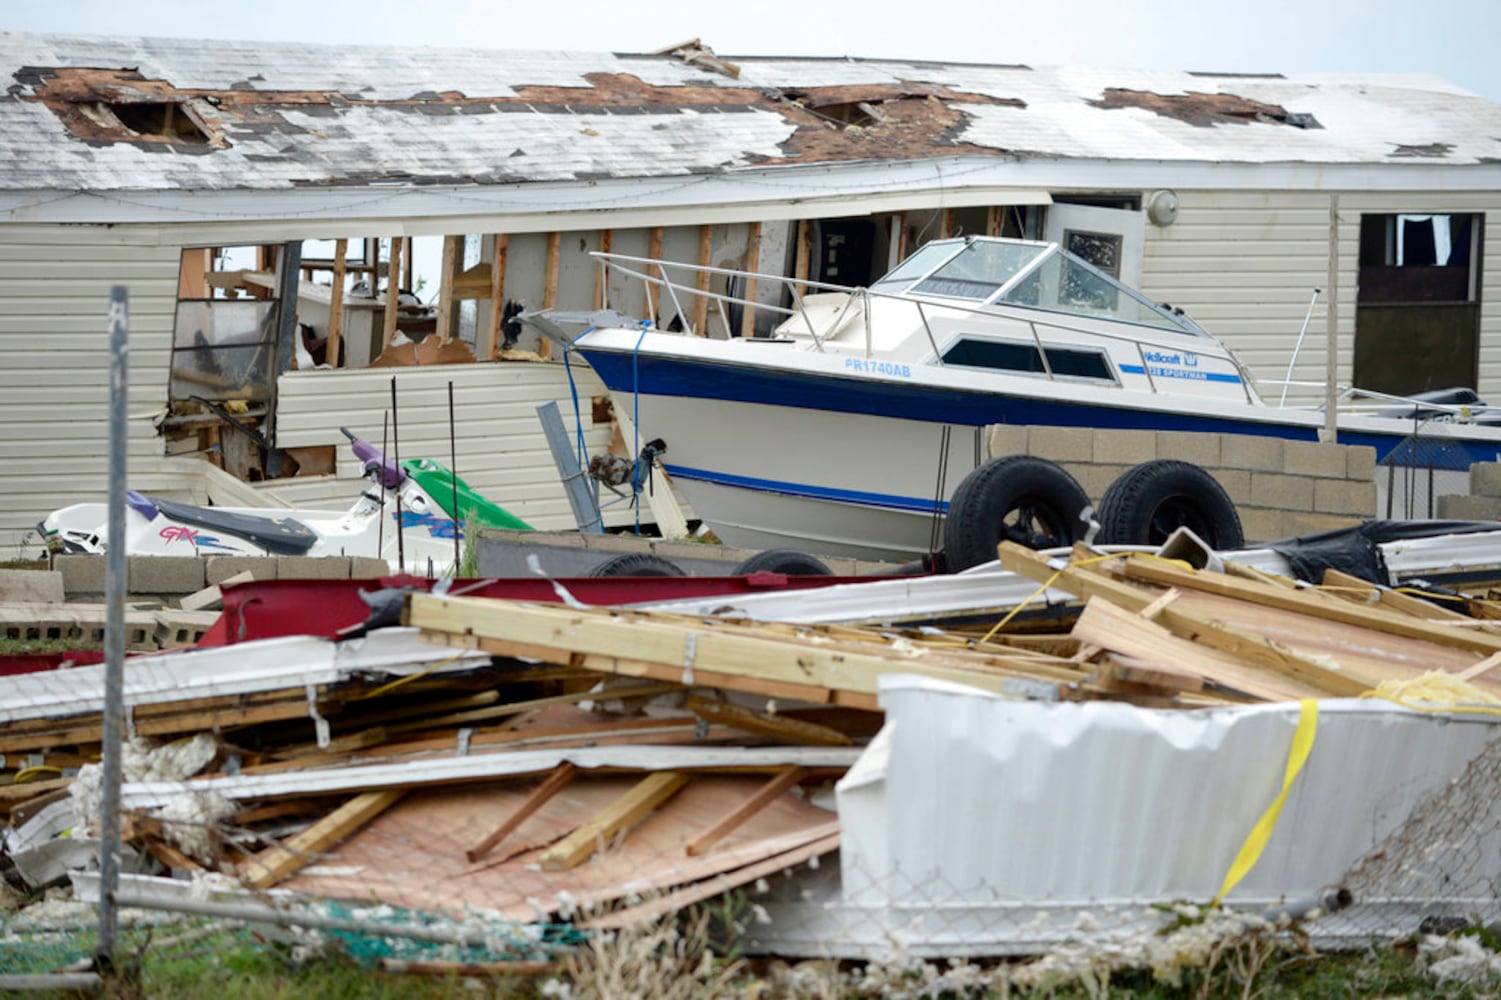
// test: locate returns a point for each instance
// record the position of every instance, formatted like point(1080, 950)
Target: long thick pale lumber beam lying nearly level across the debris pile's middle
point(709, 652)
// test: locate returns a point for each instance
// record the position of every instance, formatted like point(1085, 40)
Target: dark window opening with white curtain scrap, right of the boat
point(1418, 307)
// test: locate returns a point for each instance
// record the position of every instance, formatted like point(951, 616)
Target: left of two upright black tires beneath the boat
point(1020, 499)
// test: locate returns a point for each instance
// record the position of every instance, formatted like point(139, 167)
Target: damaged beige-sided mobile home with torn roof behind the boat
point(263, 206)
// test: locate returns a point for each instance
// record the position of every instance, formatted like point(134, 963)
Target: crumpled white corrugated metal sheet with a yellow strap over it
point(1069, 822)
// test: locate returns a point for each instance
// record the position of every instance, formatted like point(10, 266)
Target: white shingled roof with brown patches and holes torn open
point(86, 113)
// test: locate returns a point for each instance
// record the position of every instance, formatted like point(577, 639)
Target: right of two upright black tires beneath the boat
point(1154, 499)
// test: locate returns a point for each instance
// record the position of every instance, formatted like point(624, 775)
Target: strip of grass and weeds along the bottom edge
point(673, 962)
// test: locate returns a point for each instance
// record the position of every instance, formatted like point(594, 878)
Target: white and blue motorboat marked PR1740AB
point(856, 420)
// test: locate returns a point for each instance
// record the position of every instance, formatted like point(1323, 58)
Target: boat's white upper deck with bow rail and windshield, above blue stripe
point(907, 324)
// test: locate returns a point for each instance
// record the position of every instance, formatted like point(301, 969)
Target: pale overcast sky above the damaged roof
point(1455, 40)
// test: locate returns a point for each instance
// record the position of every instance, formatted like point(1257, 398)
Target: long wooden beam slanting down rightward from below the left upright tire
point(1238, 642)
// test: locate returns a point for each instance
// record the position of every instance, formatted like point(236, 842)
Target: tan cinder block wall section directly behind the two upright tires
point(1280, 489)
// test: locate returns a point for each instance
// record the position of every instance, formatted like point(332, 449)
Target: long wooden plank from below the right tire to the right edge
point(1322, 606)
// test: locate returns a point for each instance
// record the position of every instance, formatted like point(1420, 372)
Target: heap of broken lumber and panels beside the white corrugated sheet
point(543, 764)
